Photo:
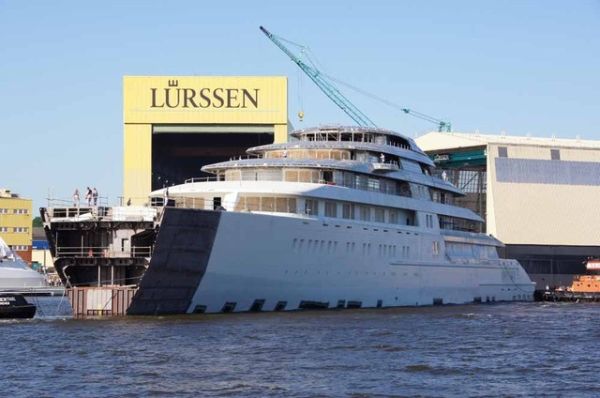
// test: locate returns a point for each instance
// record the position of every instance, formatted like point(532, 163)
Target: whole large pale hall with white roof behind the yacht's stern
point(537, 195)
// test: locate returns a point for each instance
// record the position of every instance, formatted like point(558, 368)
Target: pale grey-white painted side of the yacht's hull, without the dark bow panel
point(290, 259)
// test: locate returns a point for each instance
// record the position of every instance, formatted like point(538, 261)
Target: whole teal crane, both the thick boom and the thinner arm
point(323, 81)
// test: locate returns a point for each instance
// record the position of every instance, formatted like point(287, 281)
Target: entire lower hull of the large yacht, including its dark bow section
point(207, 261)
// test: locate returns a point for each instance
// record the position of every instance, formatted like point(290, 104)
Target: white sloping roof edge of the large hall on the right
point(435, 141)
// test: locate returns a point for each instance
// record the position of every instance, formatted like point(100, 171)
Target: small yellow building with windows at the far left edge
point(15, 223)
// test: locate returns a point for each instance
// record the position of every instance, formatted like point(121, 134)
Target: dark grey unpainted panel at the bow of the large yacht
point(181, 253)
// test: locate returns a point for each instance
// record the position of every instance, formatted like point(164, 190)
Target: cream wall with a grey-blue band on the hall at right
point(537, 200)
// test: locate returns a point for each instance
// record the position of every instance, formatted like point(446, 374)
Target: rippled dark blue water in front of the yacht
point(477, 350)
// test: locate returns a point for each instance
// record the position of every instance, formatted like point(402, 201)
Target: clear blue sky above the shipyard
point(515, 66)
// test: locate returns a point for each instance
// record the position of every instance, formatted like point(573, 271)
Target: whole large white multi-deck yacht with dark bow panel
point(344, 217)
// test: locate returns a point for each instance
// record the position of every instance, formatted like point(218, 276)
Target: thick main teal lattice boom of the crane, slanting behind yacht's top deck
point(322, 82)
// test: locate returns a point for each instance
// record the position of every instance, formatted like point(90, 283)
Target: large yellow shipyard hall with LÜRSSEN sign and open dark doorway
point(174, 125)
